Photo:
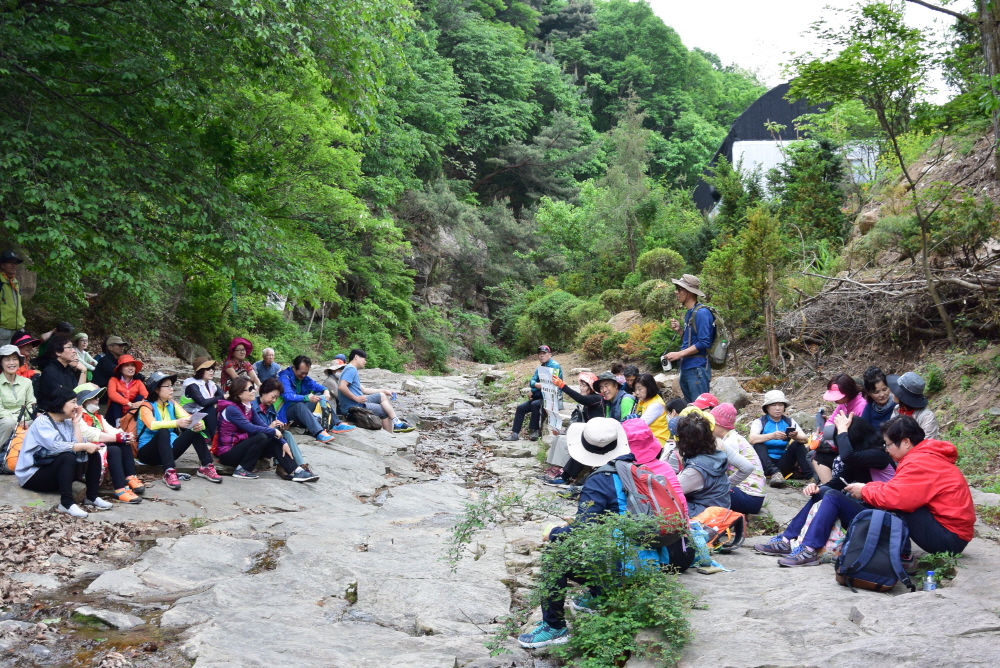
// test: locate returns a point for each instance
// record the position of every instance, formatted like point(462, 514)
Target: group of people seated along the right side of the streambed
point(877, 449)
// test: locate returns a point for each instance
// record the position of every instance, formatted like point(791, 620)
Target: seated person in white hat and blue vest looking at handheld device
point(778, 440)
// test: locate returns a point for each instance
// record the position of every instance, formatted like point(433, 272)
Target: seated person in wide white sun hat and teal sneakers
point(597, 442)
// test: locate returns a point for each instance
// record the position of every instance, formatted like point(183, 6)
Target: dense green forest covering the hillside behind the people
point(441, 178)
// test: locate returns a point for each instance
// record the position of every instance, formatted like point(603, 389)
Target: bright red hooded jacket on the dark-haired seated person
point(927, 476)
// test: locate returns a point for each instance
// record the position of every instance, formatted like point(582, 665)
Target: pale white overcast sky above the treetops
point(760, 34)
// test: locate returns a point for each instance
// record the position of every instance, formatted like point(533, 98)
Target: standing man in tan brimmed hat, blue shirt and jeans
point(697, 337)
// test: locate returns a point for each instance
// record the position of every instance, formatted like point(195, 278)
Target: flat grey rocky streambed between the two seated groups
point(351, 571)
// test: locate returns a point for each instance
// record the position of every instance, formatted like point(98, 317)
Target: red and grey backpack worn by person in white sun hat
point(648, 494)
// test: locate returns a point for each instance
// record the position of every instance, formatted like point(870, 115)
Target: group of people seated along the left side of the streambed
point(51, 406)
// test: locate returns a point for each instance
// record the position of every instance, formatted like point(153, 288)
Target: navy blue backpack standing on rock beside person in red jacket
point(870, 555)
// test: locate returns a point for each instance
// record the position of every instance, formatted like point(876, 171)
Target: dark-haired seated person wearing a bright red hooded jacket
point(928, 491)
